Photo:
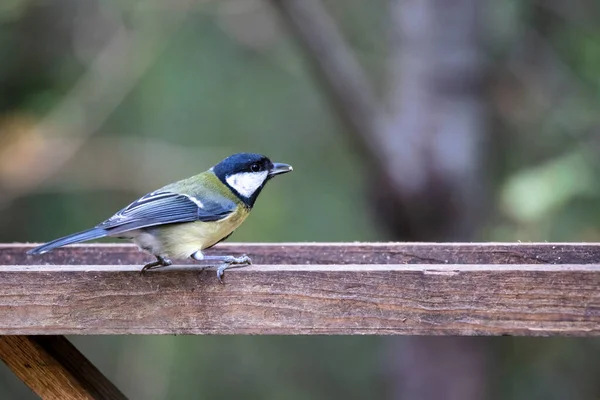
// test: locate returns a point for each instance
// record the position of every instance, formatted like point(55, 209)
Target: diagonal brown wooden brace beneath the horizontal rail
point(54, 369)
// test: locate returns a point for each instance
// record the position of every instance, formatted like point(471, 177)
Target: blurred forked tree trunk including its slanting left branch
point(427, 179)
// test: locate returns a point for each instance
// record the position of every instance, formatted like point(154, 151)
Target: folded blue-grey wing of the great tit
point(164, 207)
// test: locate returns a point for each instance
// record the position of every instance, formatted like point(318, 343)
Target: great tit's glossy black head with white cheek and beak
point(247, 173)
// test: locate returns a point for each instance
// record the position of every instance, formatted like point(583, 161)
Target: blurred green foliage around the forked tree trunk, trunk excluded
point(227, 78)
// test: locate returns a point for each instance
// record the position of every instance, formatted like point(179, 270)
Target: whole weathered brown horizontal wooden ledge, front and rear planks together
point(491, 289)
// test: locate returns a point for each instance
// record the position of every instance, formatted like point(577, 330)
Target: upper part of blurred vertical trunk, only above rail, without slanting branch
point(435, 135)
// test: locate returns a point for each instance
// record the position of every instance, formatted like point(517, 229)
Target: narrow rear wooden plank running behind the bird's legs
point(329, 253)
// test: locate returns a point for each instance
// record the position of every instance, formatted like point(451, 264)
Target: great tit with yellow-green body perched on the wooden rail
point(184, 218)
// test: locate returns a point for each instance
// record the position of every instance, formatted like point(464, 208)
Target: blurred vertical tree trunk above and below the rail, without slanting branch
point(436, 143)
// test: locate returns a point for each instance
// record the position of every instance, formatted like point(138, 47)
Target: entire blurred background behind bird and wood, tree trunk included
point(404, 120)
